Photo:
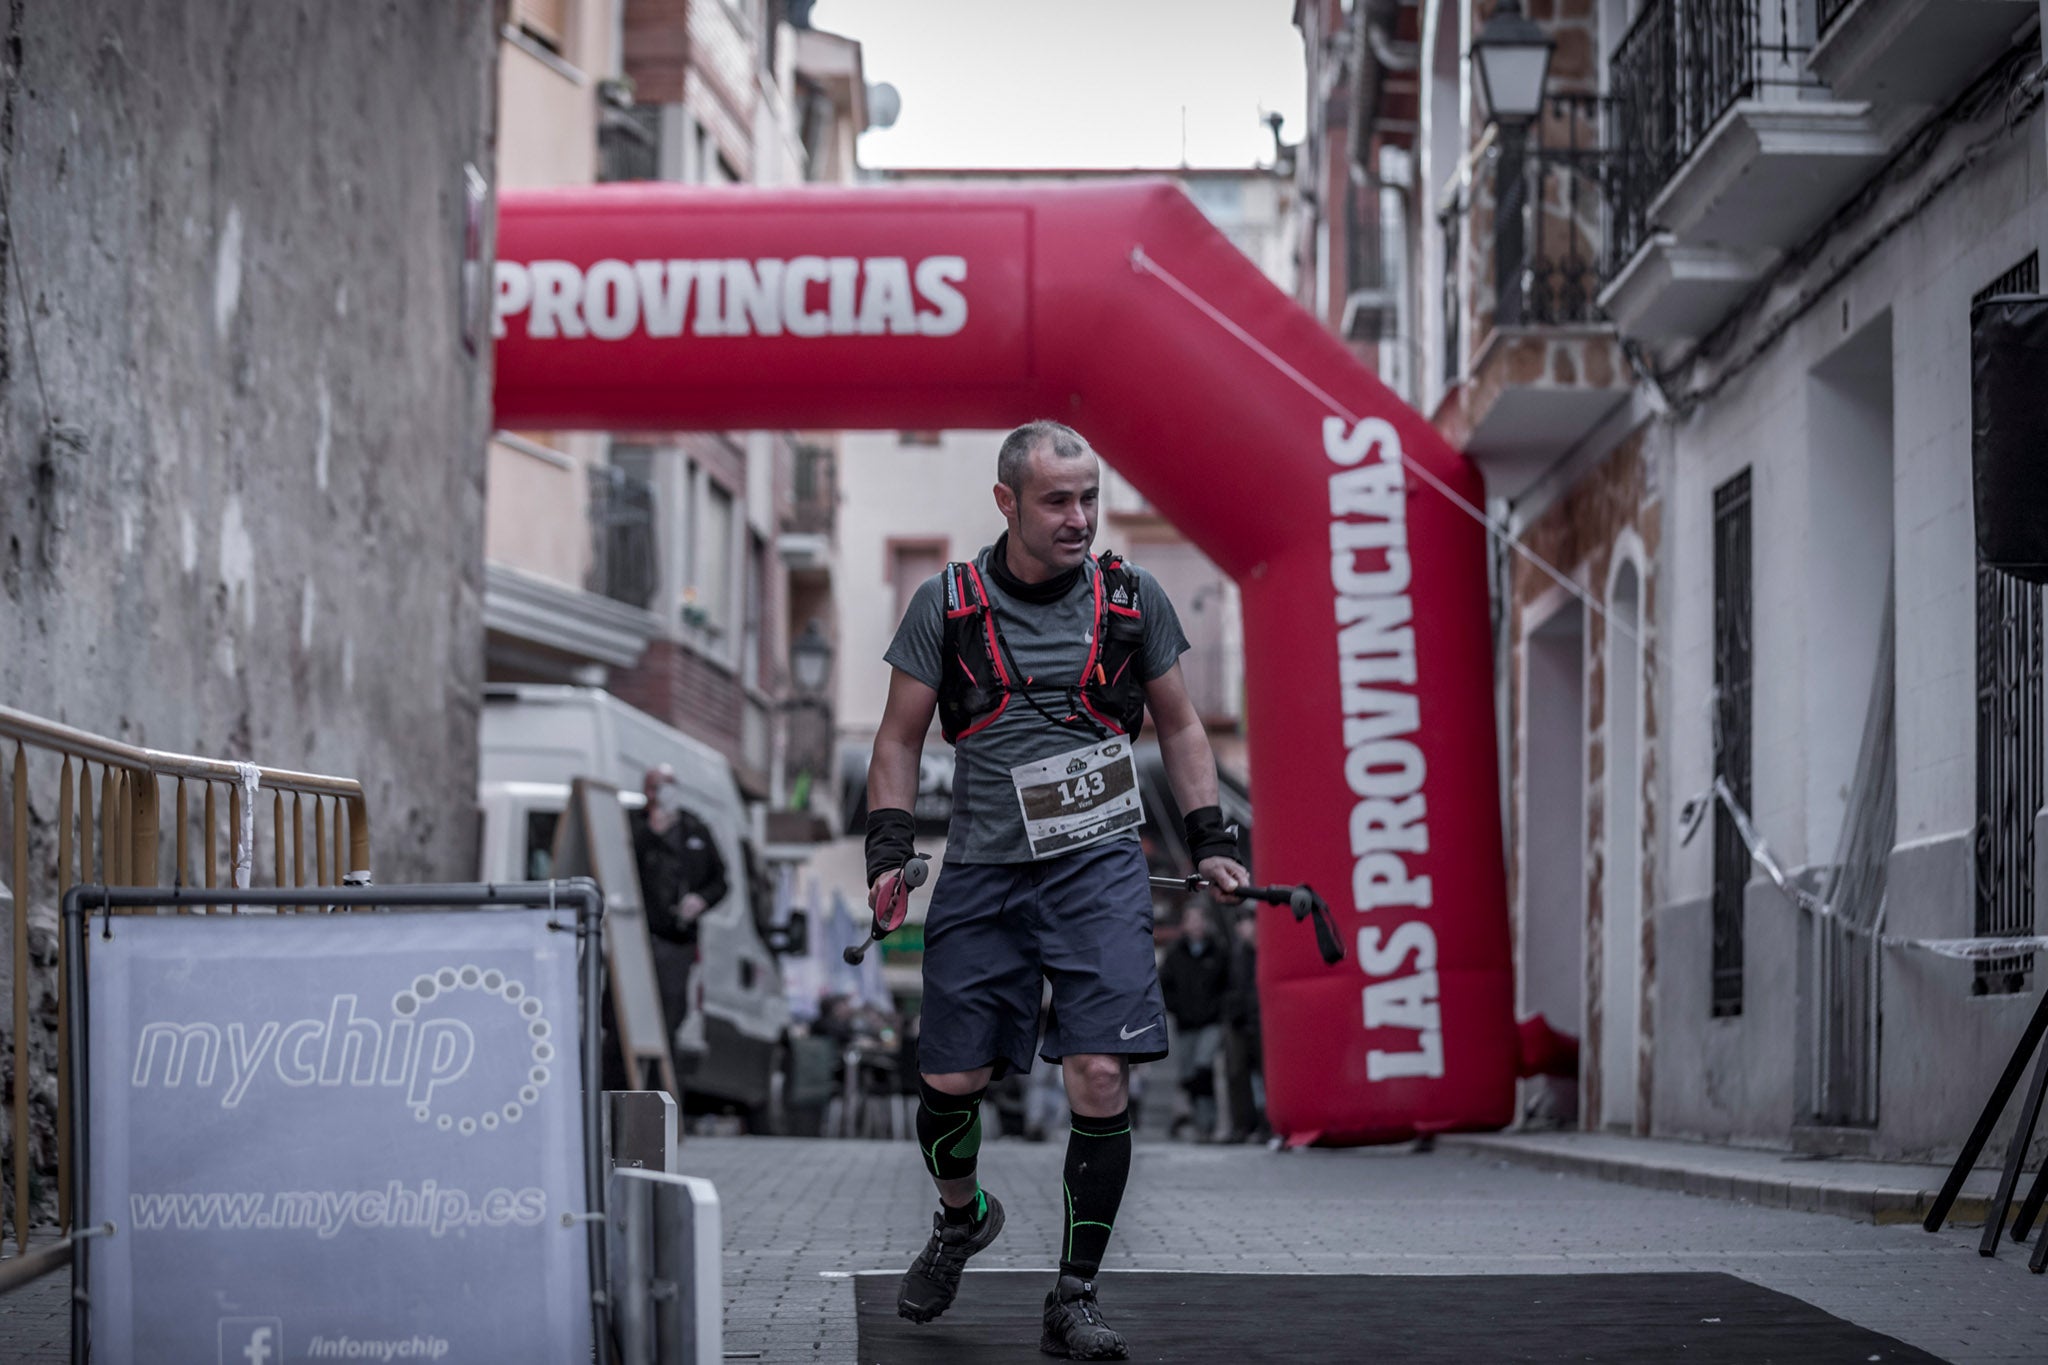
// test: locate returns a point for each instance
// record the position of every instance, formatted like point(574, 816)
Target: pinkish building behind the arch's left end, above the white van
point(675, 568)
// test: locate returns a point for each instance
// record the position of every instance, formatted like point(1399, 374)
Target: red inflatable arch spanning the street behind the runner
point(1119, 310)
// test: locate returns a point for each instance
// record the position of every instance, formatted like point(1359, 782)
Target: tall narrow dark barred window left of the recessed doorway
point(1732, 734)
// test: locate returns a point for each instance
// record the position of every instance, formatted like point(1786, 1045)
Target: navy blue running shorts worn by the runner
point(996, 930)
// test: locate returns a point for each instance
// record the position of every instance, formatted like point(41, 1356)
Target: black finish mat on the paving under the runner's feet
point(1385, 1319)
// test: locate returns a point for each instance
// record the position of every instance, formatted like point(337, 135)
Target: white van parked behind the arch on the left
point(536, 740)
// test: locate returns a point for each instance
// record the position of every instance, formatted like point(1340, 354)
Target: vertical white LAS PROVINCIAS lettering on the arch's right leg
point(1385, 768)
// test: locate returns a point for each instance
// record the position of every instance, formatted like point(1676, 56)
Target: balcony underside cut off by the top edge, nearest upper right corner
point(1912, 52)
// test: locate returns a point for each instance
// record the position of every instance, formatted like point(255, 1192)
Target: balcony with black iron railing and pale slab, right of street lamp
point(1727, 155)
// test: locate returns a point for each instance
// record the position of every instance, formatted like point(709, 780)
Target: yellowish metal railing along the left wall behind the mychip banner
point(114, 834)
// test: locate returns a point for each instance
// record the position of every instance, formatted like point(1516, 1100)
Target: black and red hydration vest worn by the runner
point(978, 672)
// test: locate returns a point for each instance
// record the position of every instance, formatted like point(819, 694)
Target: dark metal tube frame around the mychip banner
point(577, 895)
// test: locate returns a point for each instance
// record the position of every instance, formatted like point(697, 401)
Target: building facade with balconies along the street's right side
point(1705, 326)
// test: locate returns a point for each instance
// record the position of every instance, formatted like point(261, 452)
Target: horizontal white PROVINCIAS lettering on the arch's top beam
point(806, 298)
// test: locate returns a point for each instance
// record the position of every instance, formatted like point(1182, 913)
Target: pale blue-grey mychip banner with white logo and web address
point(337, 1139)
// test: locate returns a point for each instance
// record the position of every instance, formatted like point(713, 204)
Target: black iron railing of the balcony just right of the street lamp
point(1674, 75)
